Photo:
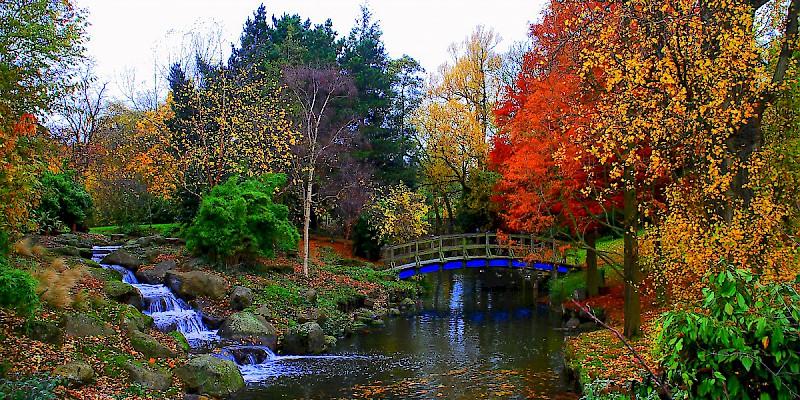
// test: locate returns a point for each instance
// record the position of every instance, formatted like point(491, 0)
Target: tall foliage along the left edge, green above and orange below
point(40, 41)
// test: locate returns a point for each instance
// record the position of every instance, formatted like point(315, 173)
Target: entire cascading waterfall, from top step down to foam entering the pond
point(257, 363)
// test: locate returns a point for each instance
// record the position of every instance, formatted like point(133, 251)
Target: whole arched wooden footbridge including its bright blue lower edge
point(476, 250)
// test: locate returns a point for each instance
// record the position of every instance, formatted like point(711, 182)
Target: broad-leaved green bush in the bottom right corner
point(744, 343)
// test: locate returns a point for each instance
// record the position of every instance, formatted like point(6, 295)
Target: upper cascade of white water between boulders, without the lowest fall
point(169, 312)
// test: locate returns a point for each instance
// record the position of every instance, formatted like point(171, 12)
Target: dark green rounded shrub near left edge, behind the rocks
point(64, 203)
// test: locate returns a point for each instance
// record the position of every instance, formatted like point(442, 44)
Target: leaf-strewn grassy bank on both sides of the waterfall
point(84, 320)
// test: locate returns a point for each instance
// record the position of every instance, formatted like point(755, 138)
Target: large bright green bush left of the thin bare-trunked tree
point(238, 221)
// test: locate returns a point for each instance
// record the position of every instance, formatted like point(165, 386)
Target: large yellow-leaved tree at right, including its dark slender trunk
point(683, 89)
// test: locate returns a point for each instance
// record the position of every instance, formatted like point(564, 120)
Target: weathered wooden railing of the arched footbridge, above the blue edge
point(465, 246)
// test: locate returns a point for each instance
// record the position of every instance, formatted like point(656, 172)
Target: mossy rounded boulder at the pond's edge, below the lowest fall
point(212, 376)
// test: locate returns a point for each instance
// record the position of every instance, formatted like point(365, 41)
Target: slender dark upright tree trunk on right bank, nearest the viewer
point(631, 272)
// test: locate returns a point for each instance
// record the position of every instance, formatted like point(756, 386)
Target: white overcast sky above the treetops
point(140, 35)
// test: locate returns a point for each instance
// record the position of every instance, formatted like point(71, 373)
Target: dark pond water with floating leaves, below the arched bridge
point(470, 339)
